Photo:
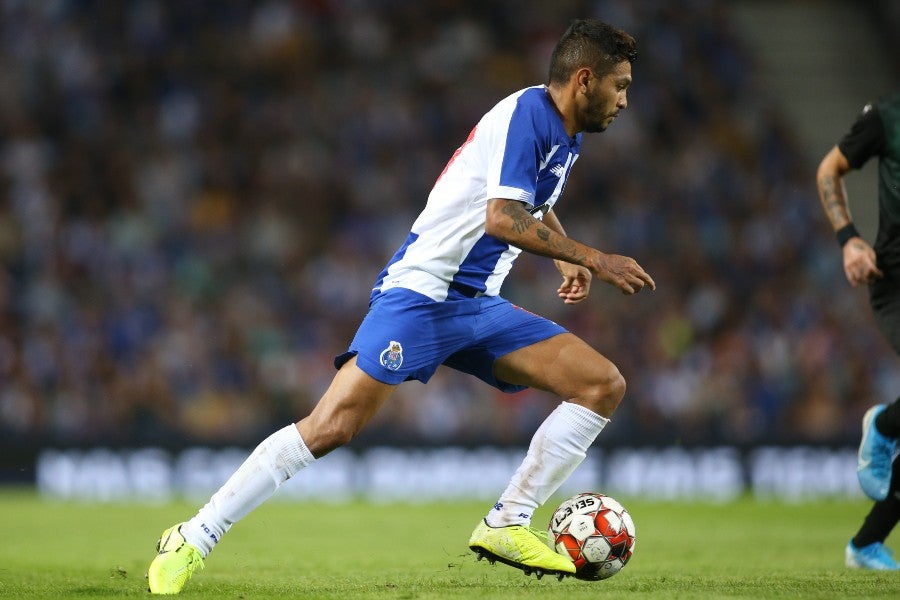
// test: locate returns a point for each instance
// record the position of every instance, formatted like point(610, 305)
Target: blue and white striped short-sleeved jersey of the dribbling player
point(519, 150)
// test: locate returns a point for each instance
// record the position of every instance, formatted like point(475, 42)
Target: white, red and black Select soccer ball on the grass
point(596, 532)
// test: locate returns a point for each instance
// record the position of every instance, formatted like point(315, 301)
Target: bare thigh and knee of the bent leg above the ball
point(563, 364)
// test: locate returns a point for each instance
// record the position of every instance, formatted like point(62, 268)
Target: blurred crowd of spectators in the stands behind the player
point(196, 197)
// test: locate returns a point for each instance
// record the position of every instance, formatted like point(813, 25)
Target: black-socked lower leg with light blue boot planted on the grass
point(867, 550)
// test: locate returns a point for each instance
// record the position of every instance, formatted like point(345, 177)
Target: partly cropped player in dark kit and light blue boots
point(876, 132)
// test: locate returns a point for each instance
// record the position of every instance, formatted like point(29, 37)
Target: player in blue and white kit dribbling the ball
point(437, 303)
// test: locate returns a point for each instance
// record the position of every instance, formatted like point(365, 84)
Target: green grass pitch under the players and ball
point(744, 549)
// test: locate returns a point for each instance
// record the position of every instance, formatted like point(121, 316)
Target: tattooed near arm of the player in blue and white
point(509, 221)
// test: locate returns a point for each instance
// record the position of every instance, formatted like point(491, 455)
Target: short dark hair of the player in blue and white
point(590, 43)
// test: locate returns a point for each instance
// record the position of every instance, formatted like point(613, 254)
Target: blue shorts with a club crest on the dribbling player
point(406, 335)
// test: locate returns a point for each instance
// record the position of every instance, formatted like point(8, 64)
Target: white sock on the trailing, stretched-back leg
point(274, 461)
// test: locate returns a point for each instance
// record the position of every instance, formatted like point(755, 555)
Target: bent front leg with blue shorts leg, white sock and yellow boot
point(521, 349)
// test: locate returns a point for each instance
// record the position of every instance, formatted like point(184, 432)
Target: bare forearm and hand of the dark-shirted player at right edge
point(859, 258)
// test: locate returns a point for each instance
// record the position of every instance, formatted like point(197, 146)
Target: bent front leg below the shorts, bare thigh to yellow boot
point(593, 387)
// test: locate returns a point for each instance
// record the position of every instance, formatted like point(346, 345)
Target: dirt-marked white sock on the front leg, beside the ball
point(558, 446)
